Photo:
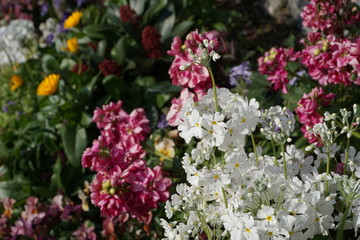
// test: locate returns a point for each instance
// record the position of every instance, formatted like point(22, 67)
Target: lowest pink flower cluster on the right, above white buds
point(307, 110)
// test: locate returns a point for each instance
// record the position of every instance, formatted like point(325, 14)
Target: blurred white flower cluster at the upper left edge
point(17, 41)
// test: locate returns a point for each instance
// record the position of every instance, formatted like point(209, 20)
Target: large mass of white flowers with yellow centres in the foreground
point(234, 195)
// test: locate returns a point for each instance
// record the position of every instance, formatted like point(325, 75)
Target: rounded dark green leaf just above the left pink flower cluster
point(115, 86)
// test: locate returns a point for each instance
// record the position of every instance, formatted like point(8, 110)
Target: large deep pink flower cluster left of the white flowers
point(123, 184)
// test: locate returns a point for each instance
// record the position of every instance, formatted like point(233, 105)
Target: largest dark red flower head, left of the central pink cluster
point(150, 39)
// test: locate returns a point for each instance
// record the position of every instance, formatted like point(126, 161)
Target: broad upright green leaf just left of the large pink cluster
point(74, 142)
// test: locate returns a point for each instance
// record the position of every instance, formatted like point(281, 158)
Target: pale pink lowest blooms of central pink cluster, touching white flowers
point(176, 104)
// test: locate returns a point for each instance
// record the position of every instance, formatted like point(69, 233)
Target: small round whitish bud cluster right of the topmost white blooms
point(277, 124)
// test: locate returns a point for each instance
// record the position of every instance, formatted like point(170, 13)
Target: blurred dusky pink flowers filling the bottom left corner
point(37, 219)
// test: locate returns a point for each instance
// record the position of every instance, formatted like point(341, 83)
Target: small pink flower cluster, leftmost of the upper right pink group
point(273, 65)
